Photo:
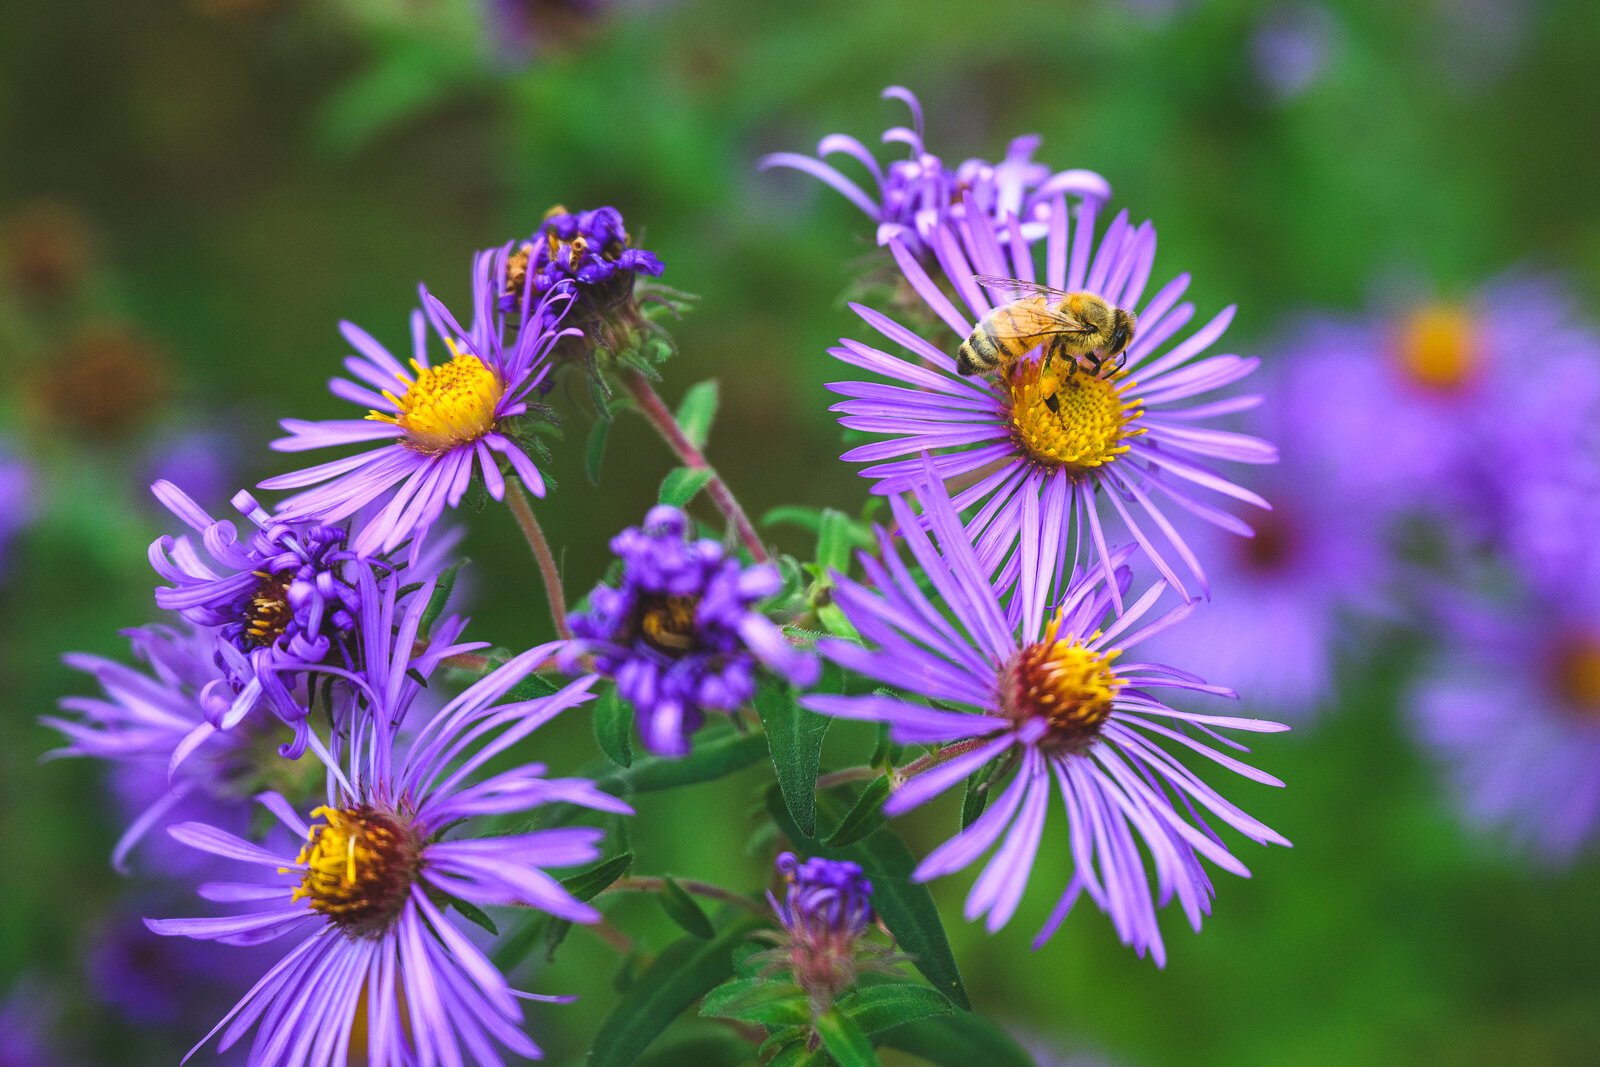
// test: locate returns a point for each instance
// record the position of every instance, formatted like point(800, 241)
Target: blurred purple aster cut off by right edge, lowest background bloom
point(1513, 709)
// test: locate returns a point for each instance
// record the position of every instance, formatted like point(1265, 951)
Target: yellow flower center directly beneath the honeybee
point(1071, 420)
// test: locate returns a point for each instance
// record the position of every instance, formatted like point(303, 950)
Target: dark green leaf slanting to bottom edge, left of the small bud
point(686, 972)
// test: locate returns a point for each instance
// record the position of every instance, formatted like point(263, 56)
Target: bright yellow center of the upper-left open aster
point(447, 406)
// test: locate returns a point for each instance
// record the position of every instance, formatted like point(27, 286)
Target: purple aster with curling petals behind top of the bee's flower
point(919, 194)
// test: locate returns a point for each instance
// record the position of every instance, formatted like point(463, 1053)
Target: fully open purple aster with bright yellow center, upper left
point(447, 422)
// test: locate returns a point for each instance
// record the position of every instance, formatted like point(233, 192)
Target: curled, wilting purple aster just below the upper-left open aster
point(281, 602)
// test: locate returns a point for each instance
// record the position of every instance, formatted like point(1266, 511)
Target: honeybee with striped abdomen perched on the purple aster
point(1071, 326)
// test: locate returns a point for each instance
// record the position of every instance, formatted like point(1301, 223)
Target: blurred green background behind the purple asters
point(193, 194)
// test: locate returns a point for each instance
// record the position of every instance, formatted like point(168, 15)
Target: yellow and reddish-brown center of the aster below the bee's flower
point(1066, 685)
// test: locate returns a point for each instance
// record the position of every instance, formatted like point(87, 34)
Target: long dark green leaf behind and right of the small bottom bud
point(905, 906)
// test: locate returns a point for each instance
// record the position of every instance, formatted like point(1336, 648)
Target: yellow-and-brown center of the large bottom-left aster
point(361, 865)
